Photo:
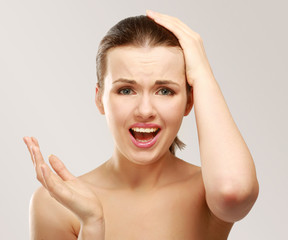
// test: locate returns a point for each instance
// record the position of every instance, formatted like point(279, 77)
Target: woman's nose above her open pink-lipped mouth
point(145, 109)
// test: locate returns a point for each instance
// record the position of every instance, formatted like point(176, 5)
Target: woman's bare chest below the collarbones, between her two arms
point(172, 213)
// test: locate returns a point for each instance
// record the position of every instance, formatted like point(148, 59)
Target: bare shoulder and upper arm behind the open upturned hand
point(49, 219)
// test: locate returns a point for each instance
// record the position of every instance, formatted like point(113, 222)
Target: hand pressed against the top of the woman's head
point(197, 64)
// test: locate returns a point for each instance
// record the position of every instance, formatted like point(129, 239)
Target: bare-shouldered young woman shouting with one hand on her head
point(151, 70)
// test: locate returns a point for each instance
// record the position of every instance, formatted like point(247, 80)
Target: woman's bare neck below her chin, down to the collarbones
point(128, 174)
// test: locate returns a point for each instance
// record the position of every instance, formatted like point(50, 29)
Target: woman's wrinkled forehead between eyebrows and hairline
point(139, 63)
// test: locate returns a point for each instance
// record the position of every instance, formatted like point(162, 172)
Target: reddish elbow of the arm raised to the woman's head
point(233, 202)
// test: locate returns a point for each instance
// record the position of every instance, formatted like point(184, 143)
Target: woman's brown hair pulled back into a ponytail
point(139, 31)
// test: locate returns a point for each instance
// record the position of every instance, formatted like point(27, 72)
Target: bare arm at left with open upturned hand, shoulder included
point(62, 197)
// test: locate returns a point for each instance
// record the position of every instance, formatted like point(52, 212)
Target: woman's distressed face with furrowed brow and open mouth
point(144, 100)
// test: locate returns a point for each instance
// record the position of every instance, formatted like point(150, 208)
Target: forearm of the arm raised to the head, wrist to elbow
point(227, 165)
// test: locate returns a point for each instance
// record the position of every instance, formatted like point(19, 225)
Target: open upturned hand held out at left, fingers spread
point(71, 192)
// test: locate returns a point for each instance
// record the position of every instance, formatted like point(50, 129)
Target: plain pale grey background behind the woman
point(47, 74)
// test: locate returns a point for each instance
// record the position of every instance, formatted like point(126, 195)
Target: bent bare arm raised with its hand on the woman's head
point(227, 166)
